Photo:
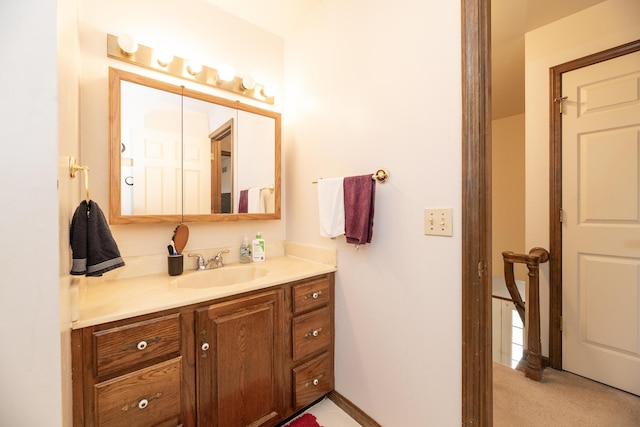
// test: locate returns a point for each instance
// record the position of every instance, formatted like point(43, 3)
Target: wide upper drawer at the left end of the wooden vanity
point(125, 346)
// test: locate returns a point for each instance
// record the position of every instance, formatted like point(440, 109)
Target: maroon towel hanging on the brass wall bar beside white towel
point(359, 198)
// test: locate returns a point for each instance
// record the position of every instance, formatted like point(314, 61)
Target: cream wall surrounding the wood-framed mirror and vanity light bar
point(190, 29)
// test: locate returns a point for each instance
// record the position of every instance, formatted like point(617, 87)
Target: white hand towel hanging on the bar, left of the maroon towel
point(331, 206)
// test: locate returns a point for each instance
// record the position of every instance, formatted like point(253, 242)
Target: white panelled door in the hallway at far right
point(601, 222)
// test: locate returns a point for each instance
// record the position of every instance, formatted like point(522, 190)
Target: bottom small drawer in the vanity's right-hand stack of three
point(312, 380)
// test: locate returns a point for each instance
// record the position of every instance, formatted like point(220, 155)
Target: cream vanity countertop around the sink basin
point(109, 300)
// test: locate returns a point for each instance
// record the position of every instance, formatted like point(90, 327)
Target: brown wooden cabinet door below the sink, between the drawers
point(239, 361)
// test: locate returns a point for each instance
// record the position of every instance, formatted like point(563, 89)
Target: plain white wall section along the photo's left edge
point(30, 362)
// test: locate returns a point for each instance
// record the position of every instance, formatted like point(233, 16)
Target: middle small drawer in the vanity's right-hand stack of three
point(311, 332)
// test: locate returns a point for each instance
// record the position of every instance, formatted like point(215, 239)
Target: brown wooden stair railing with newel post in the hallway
point(532, 354)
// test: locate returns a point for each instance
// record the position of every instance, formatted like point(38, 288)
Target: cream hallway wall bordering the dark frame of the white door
point(606, 25)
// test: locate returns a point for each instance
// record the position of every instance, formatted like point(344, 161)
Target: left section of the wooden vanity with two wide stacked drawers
point(133, 372)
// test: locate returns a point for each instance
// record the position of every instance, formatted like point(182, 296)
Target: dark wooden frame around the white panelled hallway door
point(555, 190)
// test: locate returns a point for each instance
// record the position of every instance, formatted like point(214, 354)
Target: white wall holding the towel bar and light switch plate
point(377, 84)
